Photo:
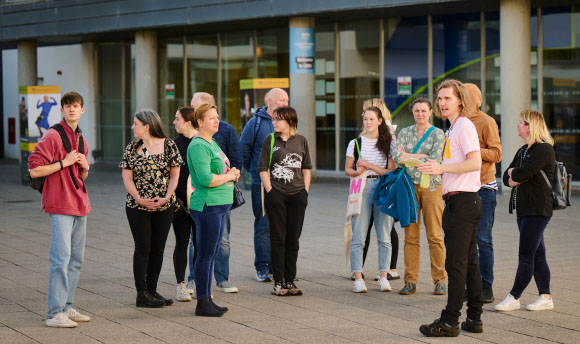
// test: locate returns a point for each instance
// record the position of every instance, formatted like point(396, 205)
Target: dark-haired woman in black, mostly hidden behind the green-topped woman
point(183, 225)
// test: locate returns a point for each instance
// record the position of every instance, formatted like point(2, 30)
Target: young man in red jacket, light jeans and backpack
point(65, 198)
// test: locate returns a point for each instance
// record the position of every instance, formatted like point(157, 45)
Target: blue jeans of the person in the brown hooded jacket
point(484, 236)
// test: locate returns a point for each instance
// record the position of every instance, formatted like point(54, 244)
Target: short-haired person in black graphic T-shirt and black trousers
point(284, 169)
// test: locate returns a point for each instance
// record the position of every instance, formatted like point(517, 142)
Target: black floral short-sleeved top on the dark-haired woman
point(151, 172)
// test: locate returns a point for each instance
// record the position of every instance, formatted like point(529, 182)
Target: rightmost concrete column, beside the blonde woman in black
point(515, 72)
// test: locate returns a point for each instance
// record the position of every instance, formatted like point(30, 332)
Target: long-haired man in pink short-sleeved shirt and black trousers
point(460, 167)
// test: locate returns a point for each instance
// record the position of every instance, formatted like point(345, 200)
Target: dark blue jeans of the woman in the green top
point(209, 226)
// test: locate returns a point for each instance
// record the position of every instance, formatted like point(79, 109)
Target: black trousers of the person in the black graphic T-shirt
point(286, 217)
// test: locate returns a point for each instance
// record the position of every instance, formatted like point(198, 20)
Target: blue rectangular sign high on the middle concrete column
point(301, 50)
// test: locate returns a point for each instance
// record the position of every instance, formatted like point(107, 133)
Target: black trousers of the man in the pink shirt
point(460, 219)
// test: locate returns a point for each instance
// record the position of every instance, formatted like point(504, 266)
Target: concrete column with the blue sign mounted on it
point(302, 95)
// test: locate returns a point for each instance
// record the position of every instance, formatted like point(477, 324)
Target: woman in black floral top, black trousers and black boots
point(150, 175)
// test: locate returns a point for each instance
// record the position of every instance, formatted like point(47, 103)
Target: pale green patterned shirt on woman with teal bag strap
point(432, 146)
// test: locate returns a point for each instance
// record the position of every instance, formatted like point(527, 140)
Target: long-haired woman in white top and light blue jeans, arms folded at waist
point(375, 157)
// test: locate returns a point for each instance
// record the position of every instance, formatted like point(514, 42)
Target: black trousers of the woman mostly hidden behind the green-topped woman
point(182, 227)
